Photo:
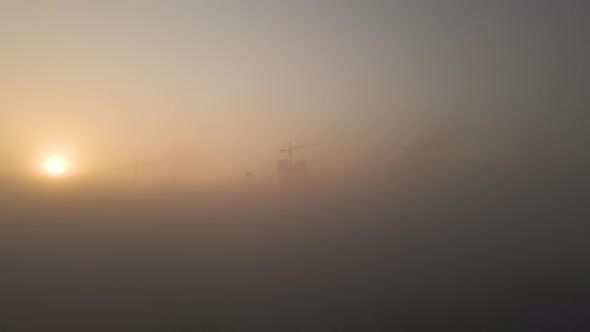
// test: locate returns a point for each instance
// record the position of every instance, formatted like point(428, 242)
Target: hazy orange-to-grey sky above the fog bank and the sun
point(223, 85)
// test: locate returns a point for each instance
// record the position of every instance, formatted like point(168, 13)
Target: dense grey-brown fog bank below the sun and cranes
point(473, 249)
